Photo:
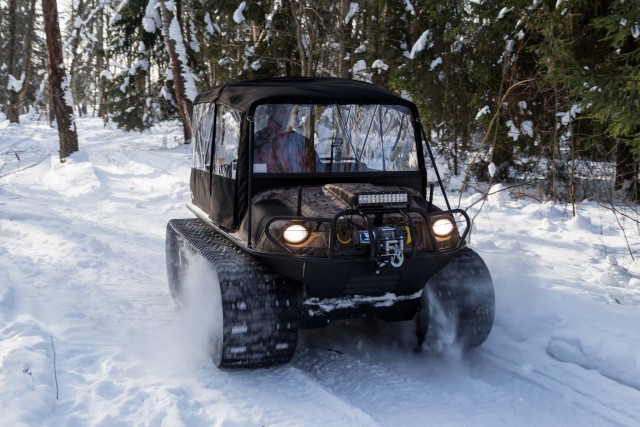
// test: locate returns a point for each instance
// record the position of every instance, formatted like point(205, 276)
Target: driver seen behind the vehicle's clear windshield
point(277, 147)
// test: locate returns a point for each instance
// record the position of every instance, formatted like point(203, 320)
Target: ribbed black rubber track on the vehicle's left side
point(260, 309)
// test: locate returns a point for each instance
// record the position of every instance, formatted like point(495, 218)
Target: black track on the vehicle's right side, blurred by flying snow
point(458, 304)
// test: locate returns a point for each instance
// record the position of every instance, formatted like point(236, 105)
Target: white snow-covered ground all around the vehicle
point(89, 335)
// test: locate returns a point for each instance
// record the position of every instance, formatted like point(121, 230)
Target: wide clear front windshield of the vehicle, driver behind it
point(304, 138)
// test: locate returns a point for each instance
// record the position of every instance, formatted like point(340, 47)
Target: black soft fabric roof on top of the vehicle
point(245, 95)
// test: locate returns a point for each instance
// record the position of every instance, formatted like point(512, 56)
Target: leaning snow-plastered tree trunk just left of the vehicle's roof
point(184, 105)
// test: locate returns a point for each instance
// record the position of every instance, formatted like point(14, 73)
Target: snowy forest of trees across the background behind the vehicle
point(542, 95)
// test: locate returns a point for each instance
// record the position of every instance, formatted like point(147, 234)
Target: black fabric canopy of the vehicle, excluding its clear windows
point(245, 96)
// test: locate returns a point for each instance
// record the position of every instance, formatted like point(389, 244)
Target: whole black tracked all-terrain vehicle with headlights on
point(314, 202)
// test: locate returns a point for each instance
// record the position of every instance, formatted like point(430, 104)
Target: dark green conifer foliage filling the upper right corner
point(599, 70)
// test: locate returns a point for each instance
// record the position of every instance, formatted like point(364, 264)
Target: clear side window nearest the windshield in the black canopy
point(226, 141)
